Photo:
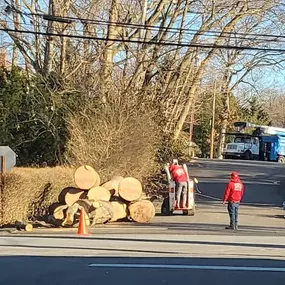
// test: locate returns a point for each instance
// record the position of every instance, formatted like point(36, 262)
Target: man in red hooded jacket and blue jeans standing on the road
point(233, 195)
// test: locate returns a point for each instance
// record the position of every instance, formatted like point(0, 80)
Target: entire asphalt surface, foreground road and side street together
point(178, 249)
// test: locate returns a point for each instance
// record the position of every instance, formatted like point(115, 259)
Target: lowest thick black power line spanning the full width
point(206, 46)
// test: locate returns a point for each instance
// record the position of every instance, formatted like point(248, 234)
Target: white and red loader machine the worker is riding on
point(169, 204)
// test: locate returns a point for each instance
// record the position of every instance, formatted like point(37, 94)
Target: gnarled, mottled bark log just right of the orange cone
point(102, 214)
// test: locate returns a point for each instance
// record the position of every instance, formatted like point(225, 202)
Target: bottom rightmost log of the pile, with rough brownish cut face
point(141, 211)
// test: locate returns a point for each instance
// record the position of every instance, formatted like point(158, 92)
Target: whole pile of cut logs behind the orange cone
point(118, 199)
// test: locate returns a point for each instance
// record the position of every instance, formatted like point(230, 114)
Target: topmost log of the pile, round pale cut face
point(86, 177)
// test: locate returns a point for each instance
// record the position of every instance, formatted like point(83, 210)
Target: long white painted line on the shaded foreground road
point(185, 266)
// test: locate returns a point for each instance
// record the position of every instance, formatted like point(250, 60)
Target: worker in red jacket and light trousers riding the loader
point(180, 177)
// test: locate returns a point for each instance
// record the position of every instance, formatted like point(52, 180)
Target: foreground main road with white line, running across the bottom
point(140, 259)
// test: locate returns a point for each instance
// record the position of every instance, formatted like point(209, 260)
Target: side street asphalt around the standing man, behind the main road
point(261, 213)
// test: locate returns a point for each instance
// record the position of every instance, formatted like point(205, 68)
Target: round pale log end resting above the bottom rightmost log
point(130, 189)
